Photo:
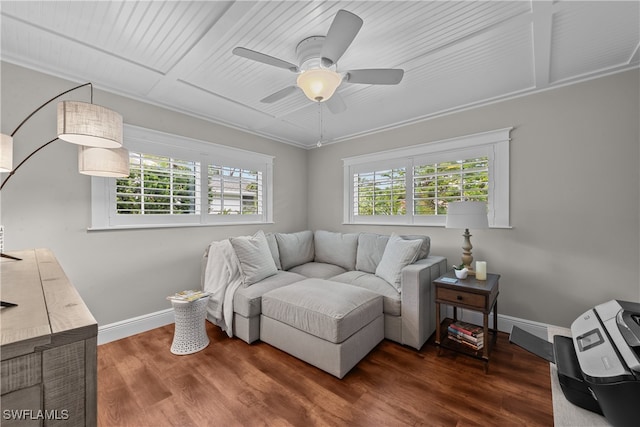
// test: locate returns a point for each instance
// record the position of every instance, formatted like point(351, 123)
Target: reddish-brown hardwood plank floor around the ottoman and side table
point(231, 383)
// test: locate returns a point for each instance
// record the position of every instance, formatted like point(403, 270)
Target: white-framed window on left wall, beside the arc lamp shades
point(177, 181)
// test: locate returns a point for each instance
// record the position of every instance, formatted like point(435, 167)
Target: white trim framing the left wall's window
point(103, 216)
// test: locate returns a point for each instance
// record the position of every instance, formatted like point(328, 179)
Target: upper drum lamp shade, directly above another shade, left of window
point(89, 124)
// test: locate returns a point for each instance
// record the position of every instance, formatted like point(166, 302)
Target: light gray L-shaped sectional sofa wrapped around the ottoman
point(373, 262)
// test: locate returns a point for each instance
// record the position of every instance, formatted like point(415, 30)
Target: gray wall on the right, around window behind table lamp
point(574, 196)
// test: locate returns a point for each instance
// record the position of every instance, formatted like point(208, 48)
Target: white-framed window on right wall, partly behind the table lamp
point(414, 185)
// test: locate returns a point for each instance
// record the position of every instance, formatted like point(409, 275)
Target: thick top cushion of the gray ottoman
point(325, 309)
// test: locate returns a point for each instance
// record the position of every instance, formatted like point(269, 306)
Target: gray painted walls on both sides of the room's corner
point(575, 198)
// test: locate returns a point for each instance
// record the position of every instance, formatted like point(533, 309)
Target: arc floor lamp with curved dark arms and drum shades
point(95, 129)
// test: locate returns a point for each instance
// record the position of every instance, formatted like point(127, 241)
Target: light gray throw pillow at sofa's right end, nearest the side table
point(397, 254)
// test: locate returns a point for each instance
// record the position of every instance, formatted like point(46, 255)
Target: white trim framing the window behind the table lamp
point(493, 144)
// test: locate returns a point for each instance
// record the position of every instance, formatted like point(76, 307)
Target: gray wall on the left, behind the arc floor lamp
point(119, 274)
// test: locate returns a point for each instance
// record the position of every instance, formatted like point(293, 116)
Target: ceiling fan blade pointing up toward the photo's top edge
point(343, 30)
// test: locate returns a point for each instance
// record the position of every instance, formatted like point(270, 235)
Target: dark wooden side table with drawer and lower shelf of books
point(472, 294)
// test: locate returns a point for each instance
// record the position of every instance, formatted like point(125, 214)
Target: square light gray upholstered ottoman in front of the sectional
point(327, 324)
